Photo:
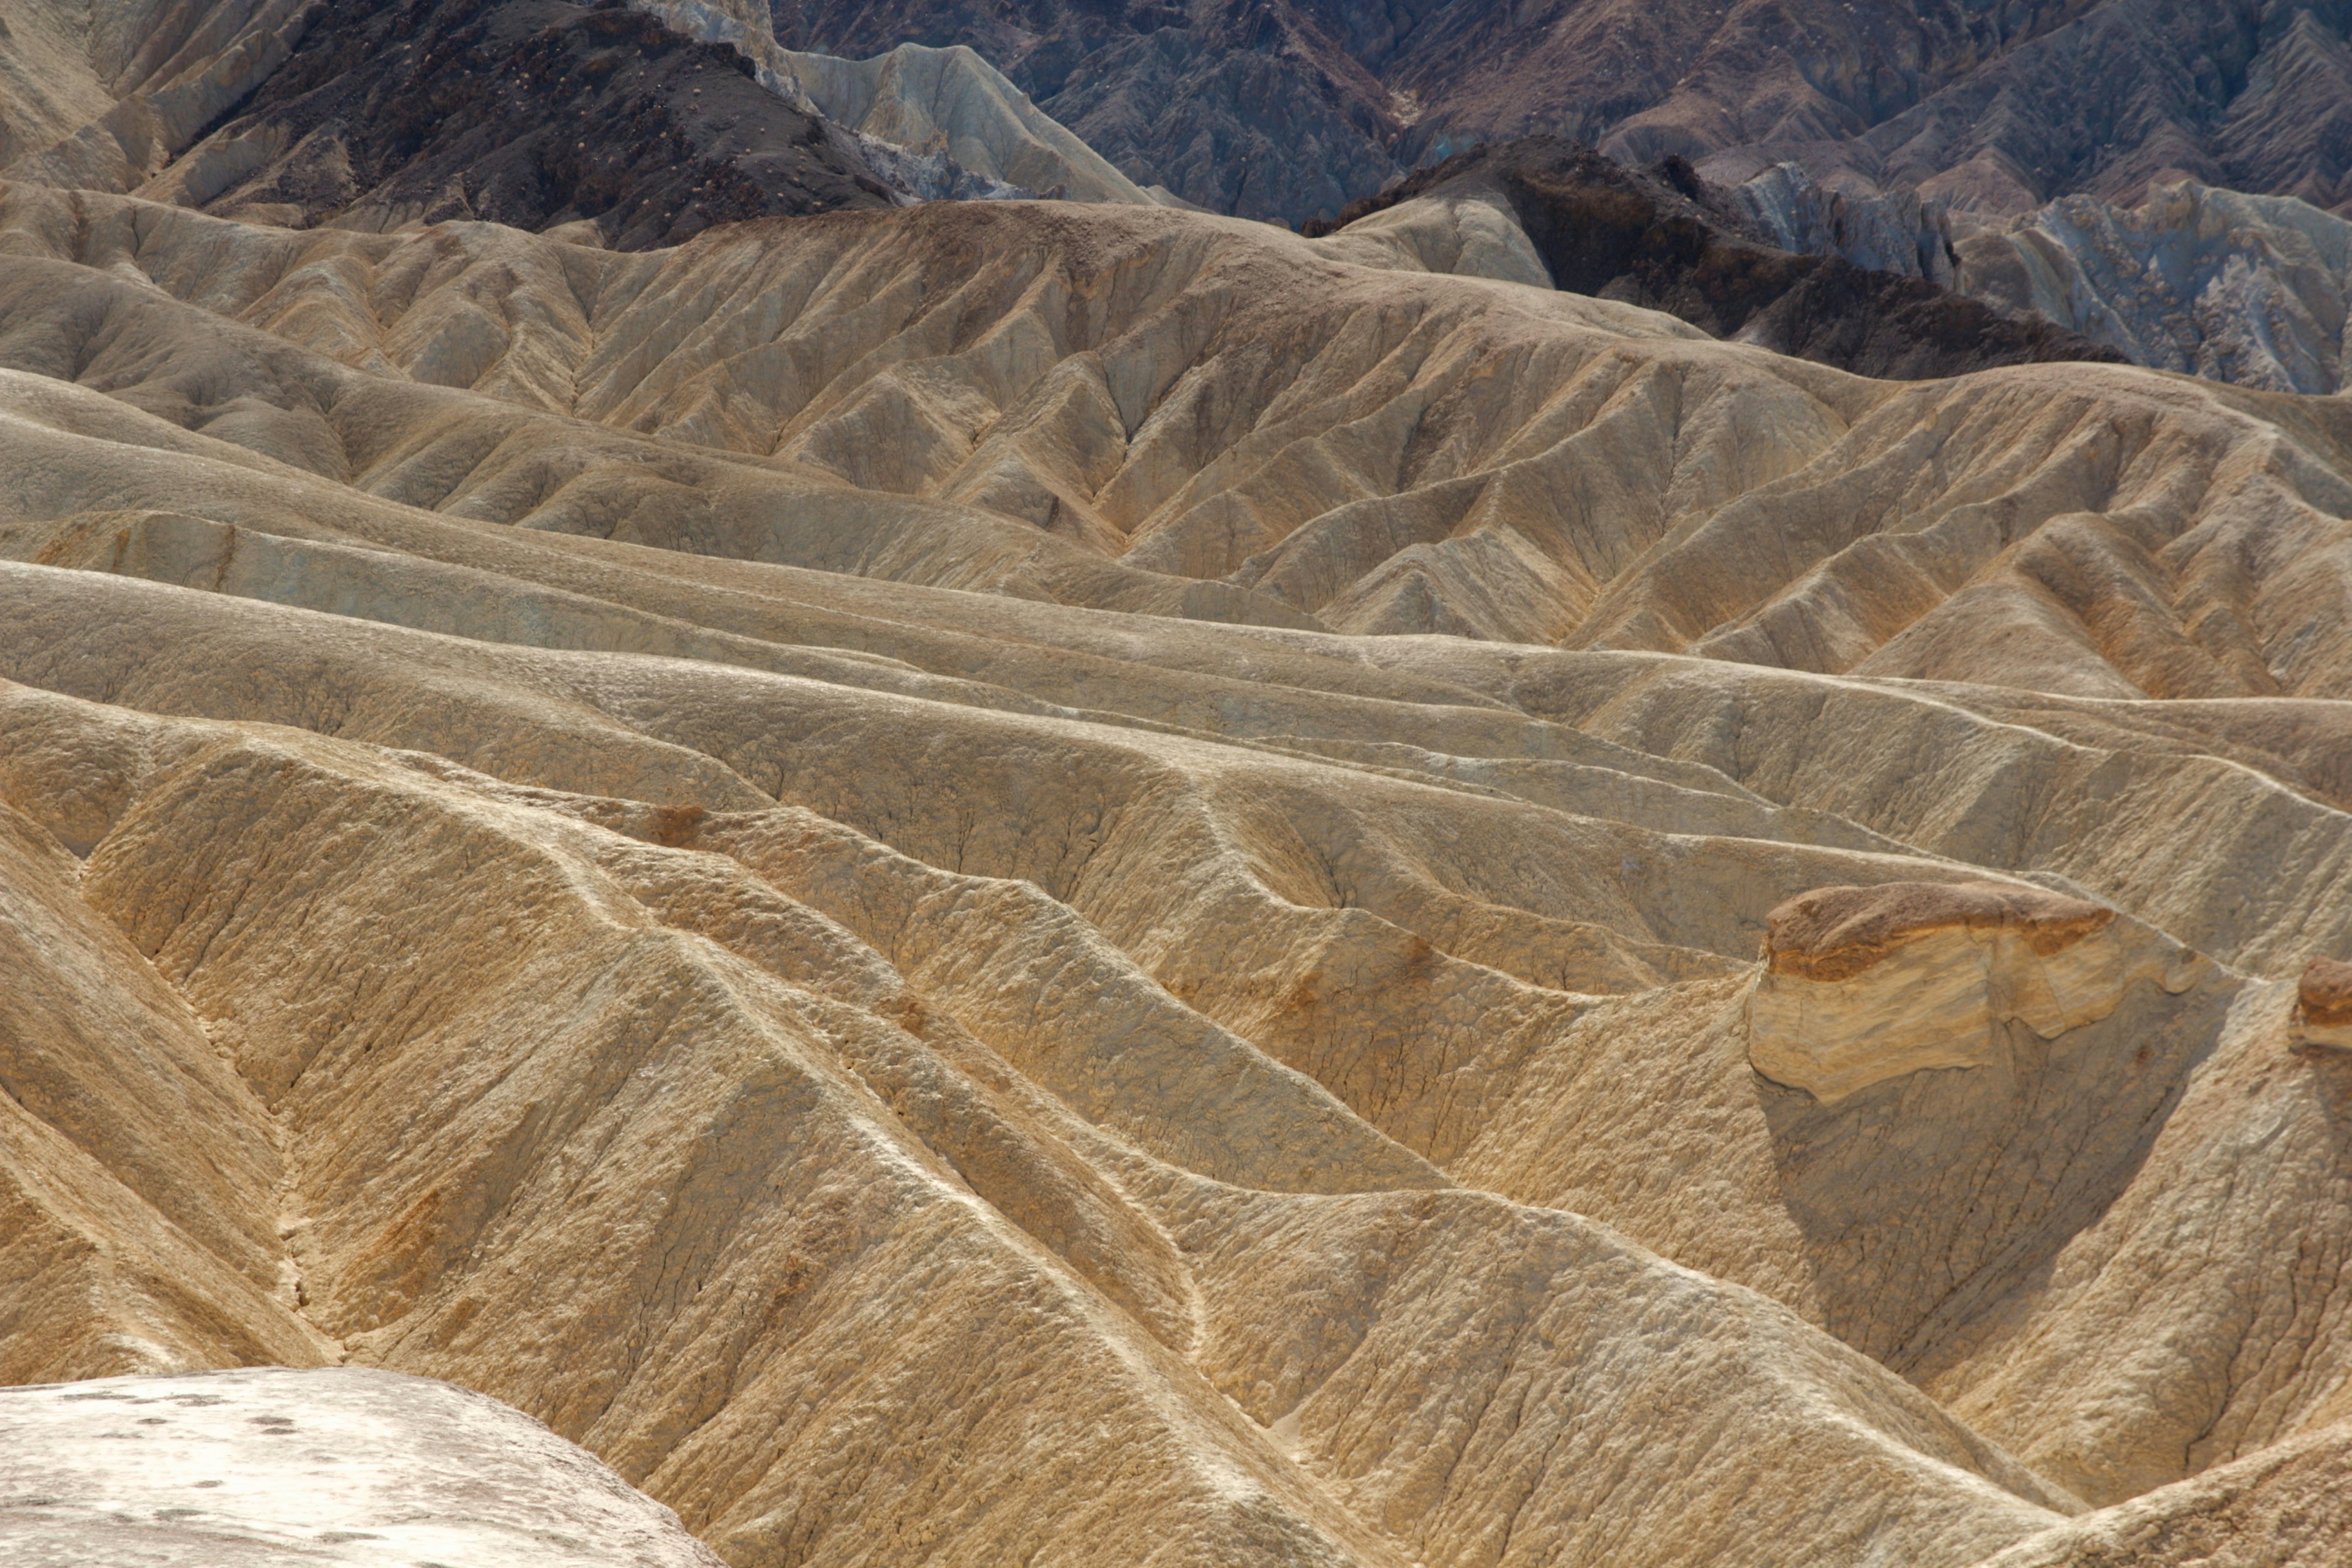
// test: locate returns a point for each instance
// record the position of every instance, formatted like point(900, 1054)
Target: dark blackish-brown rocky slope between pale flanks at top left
point(526, 112)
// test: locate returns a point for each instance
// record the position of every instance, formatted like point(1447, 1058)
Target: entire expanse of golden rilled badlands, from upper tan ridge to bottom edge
point(796, 857)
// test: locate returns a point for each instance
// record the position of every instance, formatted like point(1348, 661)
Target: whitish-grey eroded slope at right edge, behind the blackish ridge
point(2236, 288)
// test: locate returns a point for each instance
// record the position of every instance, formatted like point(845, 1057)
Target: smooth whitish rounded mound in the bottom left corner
point(326, 1466)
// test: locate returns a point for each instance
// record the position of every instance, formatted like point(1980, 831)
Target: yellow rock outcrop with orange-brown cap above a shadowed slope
point(1869, 984)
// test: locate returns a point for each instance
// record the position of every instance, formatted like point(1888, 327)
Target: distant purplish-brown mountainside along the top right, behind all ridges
point(1299, 107)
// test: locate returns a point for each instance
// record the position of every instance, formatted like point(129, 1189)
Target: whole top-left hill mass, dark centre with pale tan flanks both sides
point(620, 121)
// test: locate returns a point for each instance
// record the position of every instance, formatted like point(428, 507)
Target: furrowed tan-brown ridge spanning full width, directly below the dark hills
point(1151, 410)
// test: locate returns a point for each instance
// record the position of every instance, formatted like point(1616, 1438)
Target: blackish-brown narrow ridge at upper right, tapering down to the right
point(1669, 241)
